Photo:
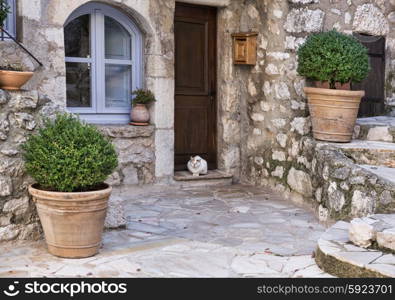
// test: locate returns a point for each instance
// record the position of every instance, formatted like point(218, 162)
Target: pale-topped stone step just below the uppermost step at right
point(370, 152)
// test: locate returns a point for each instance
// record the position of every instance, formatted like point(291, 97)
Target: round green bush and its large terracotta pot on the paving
point(70, 160)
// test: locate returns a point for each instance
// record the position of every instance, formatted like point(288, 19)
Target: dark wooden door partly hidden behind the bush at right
point(373, 102)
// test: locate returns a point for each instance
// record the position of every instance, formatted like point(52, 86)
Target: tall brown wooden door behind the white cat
point(195, 84)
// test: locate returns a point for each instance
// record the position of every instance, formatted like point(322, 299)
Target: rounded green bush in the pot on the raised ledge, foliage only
point(334, 57)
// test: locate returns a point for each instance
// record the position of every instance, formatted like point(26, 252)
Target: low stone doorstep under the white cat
point(213, 178)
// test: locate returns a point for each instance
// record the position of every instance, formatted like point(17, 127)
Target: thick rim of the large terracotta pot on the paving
point(84, 196)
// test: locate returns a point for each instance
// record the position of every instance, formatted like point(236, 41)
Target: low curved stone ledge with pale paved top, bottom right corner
point(336, 255)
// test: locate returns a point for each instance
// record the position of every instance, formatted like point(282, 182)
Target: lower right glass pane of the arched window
point(118, 80)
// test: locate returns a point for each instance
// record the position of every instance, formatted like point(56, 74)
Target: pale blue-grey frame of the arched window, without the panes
point(98, 113)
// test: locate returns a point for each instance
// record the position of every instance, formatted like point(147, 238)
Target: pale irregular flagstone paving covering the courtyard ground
point(233, 231)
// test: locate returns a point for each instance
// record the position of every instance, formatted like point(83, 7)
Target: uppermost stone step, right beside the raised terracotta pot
point(375, 129)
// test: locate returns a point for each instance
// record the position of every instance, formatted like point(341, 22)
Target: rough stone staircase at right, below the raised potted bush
point(358, 178)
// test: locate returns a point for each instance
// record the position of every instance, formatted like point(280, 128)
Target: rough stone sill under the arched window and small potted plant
point(126, 131)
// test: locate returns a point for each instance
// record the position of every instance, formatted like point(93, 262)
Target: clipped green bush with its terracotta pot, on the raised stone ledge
point(333, 60)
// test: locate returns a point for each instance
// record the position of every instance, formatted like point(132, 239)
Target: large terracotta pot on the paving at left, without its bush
point(73, 222)
